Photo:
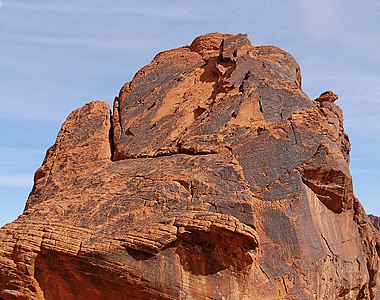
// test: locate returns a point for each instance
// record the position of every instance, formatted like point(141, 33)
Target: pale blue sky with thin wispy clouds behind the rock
point(57, 55)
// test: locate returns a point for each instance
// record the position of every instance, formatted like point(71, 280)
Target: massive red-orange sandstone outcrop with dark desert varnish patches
point(216, 177)
